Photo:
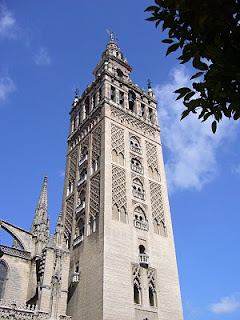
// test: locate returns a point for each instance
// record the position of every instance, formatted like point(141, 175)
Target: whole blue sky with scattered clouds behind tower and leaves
point(48, 48)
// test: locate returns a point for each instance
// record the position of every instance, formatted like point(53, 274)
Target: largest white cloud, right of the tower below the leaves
point(191, 145)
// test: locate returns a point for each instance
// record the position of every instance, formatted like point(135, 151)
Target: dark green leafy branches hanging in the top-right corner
point(208, 33)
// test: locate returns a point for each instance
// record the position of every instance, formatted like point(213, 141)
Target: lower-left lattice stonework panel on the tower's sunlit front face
point(119, 187)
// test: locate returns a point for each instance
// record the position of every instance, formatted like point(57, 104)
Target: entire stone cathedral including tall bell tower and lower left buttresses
point(112, 256)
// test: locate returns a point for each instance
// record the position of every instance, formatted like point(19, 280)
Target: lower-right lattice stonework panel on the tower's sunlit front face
point(156, 201)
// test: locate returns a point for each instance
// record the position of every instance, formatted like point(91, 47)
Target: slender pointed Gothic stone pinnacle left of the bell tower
point(40, 224)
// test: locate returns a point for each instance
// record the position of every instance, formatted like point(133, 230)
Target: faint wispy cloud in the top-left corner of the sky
point(7, 23)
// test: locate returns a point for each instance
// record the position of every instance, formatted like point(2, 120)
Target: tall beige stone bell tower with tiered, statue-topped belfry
point(116, 215)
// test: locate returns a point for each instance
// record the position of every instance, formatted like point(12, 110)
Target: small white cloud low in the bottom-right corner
point(226, 305)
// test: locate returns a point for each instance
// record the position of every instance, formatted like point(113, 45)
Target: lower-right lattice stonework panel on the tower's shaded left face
point(94, 195)
